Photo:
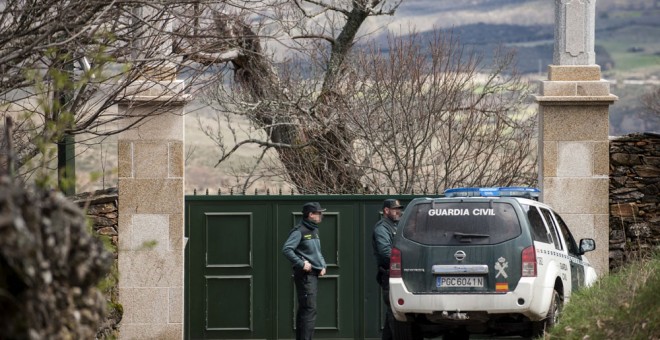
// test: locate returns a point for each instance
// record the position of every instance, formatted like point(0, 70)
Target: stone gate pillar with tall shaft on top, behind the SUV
point(573, 130)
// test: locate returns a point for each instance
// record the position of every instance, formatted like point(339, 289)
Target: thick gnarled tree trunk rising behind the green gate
point(314, 161)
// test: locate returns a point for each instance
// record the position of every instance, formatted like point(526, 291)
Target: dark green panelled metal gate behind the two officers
point(238, 284)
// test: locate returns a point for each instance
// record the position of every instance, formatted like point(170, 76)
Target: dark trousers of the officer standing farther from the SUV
point(306, 288)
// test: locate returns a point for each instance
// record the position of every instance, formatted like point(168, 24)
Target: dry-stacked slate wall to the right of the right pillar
point(634, 197)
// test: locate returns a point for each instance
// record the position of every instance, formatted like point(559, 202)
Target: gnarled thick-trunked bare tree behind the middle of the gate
point(302, 91)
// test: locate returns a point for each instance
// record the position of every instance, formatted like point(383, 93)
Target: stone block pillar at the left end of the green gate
point(151, 207)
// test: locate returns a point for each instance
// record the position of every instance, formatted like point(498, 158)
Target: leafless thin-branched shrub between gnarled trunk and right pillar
point(428, 117)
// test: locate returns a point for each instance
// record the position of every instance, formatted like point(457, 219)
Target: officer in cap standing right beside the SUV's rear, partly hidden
point(382, 243)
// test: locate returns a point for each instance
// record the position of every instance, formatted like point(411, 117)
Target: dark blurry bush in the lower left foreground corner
point(50, 266)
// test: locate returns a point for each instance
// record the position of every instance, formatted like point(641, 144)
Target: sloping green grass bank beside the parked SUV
point(621, 305)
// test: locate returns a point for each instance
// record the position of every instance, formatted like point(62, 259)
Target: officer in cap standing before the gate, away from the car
point(303, 249)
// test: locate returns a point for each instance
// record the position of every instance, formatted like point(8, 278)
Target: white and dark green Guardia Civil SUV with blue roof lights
point(483, 260)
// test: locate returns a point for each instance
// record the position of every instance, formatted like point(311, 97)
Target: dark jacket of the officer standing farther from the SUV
point(304, 244)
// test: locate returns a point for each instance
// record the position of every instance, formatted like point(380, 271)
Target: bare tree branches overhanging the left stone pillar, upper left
point(64, 66)
